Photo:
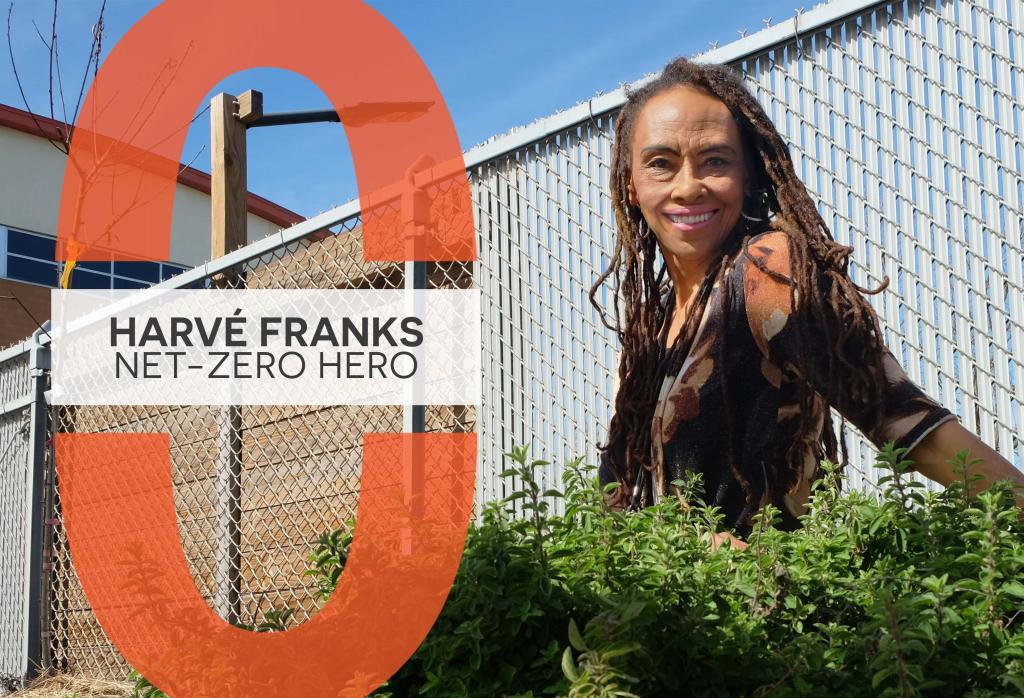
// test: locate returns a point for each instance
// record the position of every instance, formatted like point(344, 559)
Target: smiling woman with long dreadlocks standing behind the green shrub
point(730, 366)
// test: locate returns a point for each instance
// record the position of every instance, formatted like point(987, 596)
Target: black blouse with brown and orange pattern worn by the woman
point(689, 428)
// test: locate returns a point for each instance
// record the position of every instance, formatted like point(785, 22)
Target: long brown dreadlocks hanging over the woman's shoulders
point(822, 293)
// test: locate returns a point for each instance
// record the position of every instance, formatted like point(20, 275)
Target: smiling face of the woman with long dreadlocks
point(689, 173)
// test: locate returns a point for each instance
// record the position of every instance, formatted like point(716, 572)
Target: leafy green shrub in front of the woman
point(909, 594)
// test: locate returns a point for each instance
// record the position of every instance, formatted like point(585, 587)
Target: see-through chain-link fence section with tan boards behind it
point(255, 487)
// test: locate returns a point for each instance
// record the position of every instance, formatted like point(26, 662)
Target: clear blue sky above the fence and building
point(499, 65)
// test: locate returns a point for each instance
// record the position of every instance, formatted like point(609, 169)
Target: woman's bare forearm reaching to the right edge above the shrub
point(933, 454)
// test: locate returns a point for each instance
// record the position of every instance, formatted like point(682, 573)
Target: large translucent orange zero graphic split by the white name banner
point(116, 489)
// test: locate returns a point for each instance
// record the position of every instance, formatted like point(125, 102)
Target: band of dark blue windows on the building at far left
point(29, 257)
